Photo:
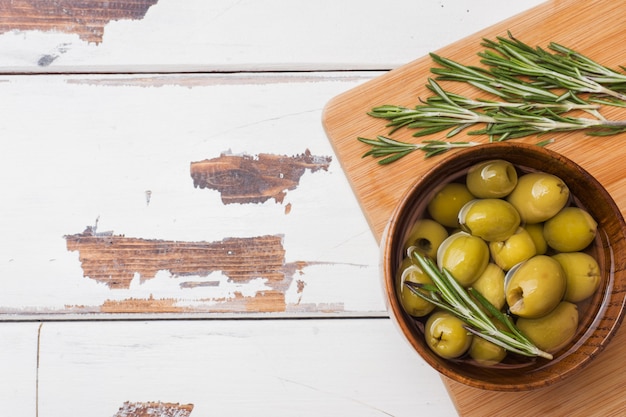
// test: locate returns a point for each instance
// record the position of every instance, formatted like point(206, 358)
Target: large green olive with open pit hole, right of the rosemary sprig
point(535, 287)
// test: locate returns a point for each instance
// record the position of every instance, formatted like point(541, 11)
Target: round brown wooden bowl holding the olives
point(600, 317)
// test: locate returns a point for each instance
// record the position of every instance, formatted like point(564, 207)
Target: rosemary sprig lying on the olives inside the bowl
point(449, 295)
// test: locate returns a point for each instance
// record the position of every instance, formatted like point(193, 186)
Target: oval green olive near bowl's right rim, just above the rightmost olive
point(570, 230)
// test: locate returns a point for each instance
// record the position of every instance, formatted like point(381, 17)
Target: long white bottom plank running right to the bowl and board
point(239, 367)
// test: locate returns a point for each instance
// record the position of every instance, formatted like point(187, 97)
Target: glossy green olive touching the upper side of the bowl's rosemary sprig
point(465, 256)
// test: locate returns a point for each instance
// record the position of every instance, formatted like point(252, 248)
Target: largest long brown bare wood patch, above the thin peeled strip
point(115, 259)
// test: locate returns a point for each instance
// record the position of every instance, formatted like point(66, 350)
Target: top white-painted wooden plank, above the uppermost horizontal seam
point(228, 35)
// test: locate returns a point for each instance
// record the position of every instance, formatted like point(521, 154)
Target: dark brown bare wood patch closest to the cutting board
point(247, 179)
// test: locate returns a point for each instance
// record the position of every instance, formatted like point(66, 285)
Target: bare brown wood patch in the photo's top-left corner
point(86, 18)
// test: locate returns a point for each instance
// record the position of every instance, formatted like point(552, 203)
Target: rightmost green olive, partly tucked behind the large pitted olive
point(582, 274)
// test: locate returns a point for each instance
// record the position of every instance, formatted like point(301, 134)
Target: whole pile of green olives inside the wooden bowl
point(517, 237)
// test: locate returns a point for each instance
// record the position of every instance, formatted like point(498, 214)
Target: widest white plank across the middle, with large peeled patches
point(105, 214)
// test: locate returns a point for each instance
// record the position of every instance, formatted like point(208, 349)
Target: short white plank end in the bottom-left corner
point(18, 364)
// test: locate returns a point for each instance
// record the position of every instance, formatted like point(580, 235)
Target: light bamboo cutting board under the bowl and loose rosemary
point(598, 30)
